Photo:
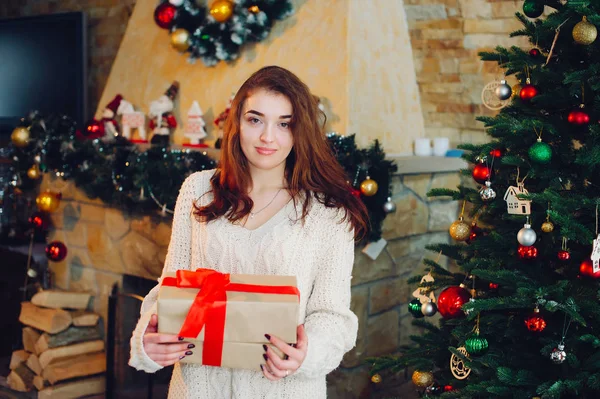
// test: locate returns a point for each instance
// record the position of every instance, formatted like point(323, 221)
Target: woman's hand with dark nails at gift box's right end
point(277, 368)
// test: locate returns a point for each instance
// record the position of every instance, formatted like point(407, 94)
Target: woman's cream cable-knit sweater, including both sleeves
point(320, 253)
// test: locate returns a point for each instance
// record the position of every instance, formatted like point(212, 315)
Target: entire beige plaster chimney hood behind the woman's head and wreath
point(355, 54)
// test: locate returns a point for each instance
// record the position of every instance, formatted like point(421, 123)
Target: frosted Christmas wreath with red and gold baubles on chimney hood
point(219, 34)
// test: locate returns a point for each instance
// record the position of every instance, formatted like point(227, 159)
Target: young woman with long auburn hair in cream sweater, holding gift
point(279, 204)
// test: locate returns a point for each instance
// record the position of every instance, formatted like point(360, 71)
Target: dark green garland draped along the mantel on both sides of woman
point(142, 182)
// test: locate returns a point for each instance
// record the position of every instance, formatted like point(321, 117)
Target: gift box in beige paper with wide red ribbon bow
point(226, 316)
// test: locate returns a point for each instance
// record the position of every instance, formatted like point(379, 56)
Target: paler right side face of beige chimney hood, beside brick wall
point(382, 88)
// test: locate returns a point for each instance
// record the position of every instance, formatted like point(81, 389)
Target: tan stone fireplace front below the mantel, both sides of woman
point(103, 245)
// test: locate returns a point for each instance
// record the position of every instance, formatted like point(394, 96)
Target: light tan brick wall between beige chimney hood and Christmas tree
point(446, 36)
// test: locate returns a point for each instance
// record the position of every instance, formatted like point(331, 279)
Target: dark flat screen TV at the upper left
point(42, 67)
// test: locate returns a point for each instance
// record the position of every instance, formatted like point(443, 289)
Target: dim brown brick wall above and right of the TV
point(107, 20)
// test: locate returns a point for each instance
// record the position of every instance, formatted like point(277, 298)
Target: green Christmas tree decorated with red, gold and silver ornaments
point(520, 316)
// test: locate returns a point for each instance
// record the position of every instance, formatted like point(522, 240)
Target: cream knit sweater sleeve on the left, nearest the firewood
point(178, 257)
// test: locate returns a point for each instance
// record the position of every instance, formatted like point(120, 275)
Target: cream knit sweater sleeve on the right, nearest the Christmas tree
point(330, 325)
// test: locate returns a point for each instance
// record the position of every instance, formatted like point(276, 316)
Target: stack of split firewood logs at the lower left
point(63, 348)
